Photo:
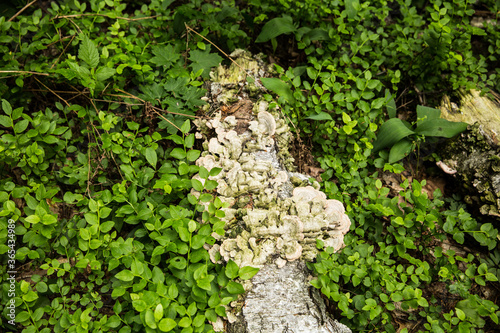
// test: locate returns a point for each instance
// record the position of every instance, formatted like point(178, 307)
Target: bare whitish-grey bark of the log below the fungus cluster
point(281, 300)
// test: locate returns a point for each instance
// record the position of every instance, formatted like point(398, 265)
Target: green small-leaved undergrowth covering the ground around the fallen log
point(95, 174)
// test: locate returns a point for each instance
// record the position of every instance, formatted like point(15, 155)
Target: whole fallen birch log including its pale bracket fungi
point(274, 216)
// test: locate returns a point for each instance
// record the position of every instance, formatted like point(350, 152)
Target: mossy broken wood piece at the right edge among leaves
point(475, 154)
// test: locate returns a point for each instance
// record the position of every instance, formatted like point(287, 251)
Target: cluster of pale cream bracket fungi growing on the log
point(268, 218)
